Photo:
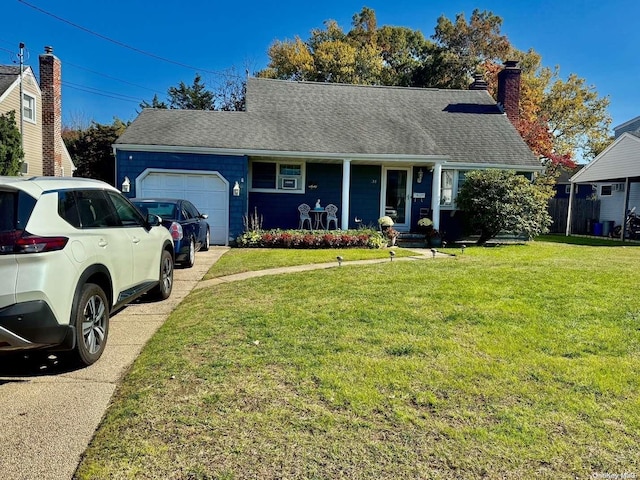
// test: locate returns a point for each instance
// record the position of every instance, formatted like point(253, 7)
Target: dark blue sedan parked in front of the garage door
point(188, 227)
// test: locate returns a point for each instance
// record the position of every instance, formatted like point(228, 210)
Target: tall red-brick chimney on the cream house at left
point(50, 85)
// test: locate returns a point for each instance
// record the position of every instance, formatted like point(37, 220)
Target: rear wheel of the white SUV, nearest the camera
point(92, 324)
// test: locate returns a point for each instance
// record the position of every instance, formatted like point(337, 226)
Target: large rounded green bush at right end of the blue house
point(496, 201)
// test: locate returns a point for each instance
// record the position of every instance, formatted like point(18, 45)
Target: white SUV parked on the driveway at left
point(72, 251)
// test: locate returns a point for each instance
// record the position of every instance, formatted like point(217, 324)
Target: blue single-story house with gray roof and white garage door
point(370, 150)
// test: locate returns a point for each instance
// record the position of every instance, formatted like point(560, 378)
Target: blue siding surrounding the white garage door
point(232, 168)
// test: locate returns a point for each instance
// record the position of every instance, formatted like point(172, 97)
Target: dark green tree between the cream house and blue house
point(91, 150)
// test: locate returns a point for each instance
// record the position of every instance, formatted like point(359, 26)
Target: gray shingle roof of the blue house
point(464, 125)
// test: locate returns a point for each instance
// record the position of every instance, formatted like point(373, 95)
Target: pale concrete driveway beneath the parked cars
point(49, 412)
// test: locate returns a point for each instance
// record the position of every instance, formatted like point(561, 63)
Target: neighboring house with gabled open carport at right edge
point(615, 174)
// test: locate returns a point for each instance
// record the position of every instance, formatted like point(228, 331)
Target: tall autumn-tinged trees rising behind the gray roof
point(560, 119)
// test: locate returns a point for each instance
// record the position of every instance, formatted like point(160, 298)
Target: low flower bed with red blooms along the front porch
point(361, 238)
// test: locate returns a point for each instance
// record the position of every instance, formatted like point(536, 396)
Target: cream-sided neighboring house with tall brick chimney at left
point(38, 115)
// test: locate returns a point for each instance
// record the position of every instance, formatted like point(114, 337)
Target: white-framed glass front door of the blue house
point(395, 197)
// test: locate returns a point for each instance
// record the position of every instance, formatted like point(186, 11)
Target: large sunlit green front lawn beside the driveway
point(508, 362)
